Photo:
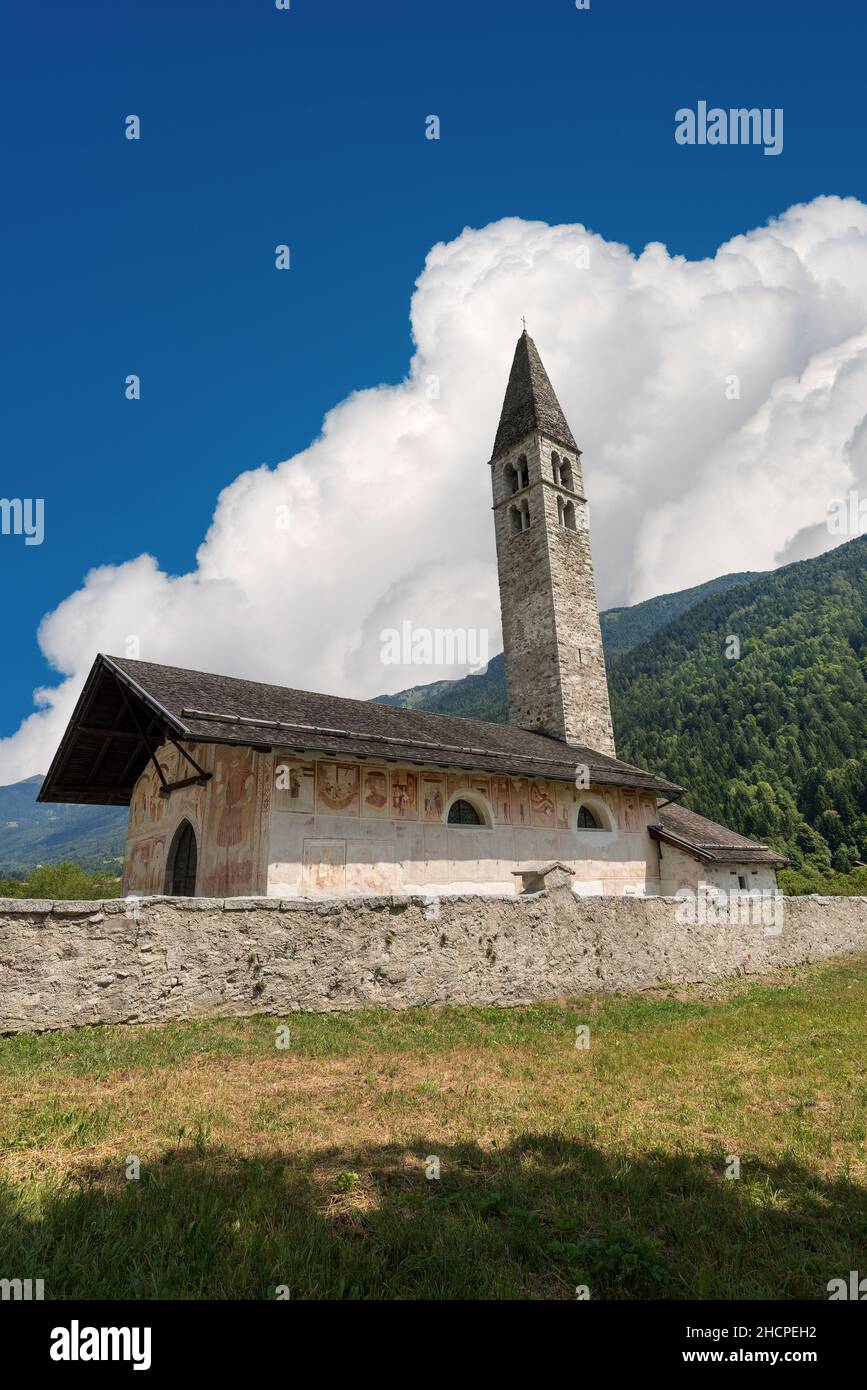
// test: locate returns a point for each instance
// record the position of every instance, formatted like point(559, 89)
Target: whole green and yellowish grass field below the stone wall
point(305, 1167)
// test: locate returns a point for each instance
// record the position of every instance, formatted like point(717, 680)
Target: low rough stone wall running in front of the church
point(149, 960)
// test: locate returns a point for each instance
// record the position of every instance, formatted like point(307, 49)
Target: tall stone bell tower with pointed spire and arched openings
point(555, 665)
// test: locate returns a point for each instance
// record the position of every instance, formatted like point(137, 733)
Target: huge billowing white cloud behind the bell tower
point(386, 519)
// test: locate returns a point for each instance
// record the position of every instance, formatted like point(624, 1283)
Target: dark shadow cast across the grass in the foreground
point(529, 1221)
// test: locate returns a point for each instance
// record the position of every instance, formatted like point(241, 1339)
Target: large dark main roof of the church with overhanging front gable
point(130, 708)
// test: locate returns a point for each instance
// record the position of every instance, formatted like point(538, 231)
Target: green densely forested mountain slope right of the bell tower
point(775, 742)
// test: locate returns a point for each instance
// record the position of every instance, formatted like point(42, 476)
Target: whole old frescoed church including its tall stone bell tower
point(237, 789)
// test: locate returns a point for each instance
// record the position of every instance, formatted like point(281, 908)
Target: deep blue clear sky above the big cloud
point(306, 127)
